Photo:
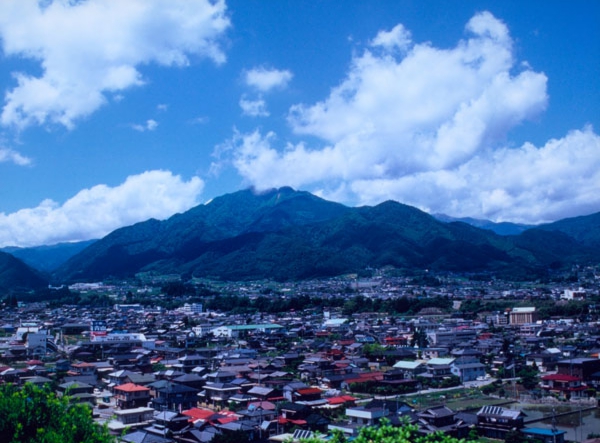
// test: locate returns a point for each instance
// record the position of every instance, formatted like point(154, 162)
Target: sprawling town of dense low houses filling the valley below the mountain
point(164, 360)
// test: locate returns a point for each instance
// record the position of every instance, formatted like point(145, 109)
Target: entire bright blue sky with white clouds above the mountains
point(117, 111)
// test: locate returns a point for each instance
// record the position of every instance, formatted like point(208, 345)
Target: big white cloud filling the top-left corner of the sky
point(88, 50)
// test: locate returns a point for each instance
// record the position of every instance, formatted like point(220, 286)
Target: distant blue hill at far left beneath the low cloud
point(48, 258)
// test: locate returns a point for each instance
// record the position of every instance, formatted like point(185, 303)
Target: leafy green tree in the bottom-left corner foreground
point(35, 415)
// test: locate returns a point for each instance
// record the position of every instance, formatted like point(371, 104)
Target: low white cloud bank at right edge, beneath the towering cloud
point(529, 184)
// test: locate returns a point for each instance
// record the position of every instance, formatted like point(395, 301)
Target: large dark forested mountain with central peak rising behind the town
point(286, 234)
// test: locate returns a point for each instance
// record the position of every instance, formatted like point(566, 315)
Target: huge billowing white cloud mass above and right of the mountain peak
point(428, 126)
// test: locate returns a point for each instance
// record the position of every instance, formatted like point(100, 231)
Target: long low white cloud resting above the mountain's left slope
point(95, 212)
